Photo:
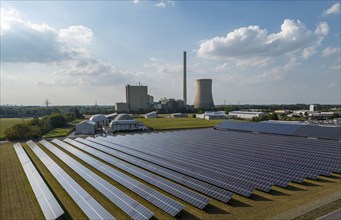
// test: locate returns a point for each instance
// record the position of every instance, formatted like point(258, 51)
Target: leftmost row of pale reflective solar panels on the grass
point(47, 202)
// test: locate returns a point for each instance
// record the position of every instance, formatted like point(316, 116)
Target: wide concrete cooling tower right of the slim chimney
point(203, 96)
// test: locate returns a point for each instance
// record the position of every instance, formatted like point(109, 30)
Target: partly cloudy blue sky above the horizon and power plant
point(256, 52)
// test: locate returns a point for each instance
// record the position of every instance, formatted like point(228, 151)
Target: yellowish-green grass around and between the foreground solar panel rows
point(303, 201)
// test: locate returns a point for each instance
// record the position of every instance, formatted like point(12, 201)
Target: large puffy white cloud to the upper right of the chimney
point(254, 46)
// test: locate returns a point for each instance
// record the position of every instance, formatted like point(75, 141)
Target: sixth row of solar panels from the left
point(207, 189)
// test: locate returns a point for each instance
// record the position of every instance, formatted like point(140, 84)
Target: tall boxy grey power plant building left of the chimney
point(137, 97)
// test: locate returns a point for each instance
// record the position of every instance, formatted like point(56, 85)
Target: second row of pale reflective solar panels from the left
point(91, 208)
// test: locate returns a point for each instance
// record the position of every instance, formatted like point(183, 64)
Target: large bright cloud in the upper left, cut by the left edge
point(24, 41)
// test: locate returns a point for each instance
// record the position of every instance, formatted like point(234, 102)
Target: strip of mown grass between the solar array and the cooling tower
point(177, 123)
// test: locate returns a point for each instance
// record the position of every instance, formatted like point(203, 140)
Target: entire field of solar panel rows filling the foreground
point(191, 165)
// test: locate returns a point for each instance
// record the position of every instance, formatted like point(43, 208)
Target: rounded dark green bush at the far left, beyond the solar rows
point(22, 131)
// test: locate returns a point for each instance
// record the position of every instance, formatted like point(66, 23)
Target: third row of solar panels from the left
point(131, 207)
